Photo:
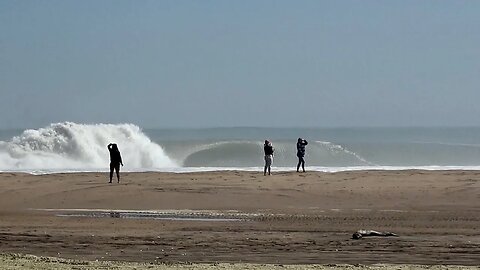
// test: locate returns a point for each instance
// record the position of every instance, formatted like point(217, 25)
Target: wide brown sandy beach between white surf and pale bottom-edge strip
point(286, 218)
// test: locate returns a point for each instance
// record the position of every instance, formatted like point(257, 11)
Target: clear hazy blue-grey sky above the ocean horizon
point(160, 64)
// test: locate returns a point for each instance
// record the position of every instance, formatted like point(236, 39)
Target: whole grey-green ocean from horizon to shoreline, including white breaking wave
point(73, 147)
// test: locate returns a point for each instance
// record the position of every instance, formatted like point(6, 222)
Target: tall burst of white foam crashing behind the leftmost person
point(67, 146)
